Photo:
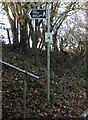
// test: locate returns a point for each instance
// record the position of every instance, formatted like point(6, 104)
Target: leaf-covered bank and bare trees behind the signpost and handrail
point(27, 49)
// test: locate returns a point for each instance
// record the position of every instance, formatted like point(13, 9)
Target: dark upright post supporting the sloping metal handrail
point(24, 96)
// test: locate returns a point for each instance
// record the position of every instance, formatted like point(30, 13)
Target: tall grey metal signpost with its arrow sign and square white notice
point(44, 14)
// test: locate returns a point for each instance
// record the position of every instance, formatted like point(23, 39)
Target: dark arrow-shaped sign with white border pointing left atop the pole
point(37, 14)
